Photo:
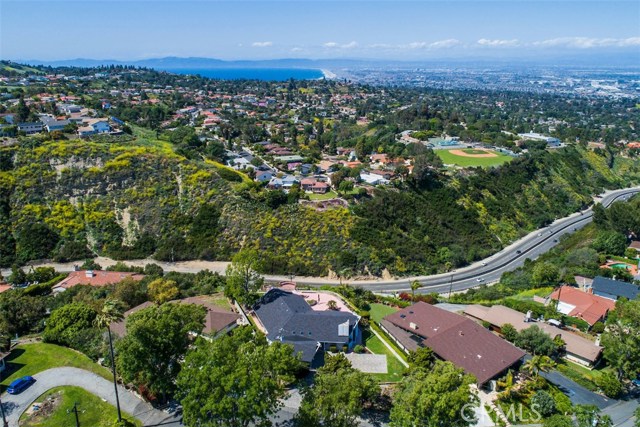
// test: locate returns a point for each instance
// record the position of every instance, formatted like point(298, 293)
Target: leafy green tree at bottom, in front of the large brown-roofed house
point(434, 398)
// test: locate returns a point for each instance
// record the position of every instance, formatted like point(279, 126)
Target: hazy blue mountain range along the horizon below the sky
point(599, 60)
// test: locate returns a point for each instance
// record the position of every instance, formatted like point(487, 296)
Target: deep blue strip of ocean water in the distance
point(269, 74)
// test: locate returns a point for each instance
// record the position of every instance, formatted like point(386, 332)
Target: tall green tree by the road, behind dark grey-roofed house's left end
point(242, 279)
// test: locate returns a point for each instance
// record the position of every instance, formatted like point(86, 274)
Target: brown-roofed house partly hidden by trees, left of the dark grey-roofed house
point(217, 321)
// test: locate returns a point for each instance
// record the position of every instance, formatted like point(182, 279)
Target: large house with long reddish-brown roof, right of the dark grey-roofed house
point(454, 338)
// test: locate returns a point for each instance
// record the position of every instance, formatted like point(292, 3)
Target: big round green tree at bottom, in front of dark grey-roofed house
point(235, 380)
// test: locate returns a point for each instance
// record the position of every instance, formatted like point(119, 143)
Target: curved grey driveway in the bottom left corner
point(15, 405)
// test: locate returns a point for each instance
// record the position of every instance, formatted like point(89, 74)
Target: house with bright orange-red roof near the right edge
point(586, 306)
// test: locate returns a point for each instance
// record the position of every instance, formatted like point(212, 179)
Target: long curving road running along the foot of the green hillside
point(488, 270)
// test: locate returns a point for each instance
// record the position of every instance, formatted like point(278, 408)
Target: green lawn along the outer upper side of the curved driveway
point(29, 359)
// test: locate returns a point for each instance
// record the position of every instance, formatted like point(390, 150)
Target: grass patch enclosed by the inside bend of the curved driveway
point(92, 411)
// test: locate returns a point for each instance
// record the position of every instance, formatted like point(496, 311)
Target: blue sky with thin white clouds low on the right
point(404, 30)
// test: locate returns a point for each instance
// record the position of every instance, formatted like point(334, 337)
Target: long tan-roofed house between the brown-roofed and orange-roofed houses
point(577, 348)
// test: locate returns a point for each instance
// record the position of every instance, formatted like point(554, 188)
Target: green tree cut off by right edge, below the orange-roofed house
point(621, 340)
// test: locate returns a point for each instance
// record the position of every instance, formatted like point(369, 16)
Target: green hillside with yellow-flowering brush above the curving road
point(131, 201)
